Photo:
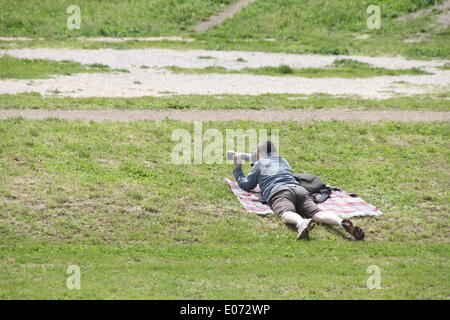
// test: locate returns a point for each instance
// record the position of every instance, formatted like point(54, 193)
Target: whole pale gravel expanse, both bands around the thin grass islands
point(156, 82)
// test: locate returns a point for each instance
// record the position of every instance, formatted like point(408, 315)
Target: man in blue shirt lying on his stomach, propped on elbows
point(285, 196)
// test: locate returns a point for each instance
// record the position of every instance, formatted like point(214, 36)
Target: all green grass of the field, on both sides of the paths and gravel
point(106, 197)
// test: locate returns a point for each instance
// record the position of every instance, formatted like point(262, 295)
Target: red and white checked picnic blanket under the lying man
point(340, 202)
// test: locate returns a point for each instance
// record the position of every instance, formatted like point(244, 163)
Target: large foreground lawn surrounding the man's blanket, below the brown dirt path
point(105, 196)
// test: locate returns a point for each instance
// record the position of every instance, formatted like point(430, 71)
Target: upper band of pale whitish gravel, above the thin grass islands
point(158, 58)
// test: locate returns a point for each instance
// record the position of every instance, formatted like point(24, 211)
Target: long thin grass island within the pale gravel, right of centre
point(341, 68)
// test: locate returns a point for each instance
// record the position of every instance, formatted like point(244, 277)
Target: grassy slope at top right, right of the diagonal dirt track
point(333, 27)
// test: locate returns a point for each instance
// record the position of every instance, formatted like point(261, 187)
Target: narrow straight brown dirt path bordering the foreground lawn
point(226, 115)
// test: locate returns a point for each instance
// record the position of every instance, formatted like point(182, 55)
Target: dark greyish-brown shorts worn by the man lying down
point(293, 198)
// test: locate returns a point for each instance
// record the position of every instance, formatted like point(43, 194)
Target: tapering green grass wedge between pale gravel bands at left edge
point(15, 68)
